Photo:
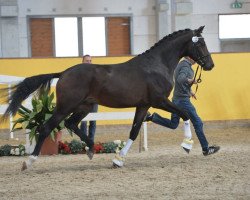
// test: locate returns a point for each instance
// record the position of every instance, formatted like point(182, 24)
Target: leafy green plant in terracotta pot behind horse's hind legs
point(32, 119)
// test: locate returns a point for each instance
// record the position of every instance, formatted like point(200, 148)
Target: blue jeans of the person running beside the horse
point(188, 107)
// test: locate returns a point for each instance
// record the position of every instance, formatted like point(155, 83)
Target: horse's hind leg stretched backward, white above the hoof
point(44, 132)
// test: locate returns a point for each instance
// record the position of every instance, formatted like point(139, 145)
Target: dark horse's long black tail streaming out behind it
point(22, 90)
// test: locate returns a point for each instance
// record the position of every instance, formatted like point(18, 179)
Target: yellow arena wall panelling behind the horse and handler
point(222, 95)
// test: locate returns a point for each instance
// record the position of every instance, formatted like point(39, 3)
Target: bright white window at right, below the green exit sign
point(234, 26)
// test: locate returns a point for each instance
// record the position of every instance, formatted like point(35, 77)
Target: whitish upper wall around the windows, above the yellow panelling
point(151, 19)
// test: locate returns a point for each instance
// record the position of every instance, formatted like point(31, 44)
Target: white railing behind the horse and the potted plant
point(10, 80)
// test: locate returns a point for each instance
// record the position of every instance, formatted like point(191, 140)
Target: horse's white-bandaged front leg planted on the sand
point(138, 119)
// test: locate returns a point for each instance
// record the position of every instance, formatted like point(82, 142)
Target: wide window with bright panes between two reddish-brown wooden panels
point(76, 36)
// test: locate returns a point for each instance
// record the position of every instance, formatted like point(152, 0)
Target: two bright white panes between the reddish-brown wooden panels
point(66, 36)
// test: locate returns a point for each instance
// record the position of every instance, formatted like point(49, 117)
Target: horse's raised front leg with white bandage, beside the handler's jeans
point(167, 105)
